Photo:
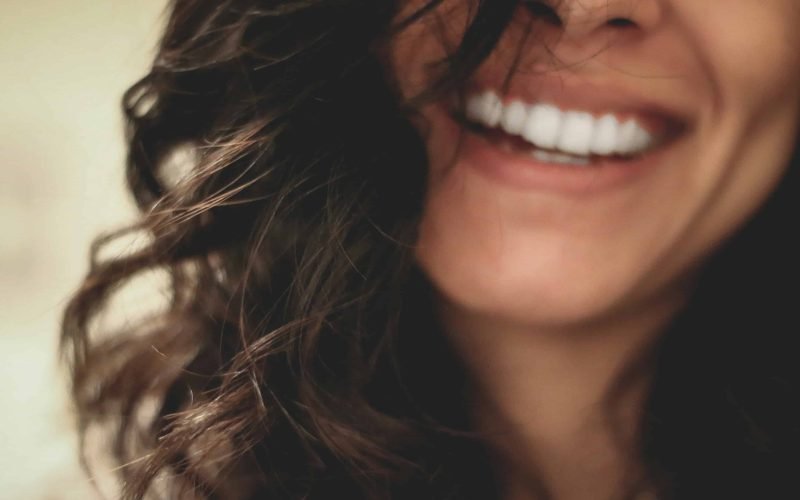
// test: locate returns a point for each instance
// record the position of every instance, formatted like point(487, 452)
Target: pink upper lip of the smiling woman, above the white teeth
point(662, 112)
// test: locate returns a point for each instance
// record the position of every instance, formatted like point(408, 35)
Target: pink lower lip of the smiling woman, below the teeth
point(523, 172)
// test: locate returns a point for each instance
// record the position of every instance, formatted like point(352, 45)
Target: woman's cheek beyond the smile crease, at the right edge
point(752, 60)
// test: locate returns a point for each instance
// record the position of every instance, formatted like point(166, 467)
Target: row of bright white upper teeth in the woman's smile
point(547, 127)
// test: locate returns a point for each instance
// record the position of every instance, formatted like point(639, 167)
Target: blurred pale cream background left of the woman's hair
point(64, 65)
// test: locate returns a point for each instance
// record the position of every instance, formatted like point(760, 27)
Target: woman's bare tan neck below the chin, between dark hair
point(562, 406)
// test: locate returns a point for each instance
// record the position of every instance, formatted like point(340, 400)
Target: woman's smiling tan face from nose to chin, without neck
point(689, 107)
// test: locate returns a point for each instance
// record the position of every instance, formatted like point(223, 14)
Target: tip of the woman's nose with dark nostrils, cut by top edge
point(581, 20)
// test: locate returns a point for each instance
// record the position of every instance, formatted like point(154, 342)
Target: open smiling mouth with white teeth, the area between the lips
point(549, 134)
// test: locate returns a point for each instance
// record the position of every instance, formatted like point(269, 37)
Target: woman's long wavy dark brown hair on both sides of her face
point(298, 356)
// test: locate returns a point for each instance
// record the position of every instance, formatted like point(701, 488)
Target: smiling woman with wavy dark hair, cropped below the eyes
point(446, 249)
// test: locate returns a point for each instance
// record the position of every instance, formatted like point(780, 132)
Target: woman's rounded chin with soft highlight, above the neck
point(531, 289)
